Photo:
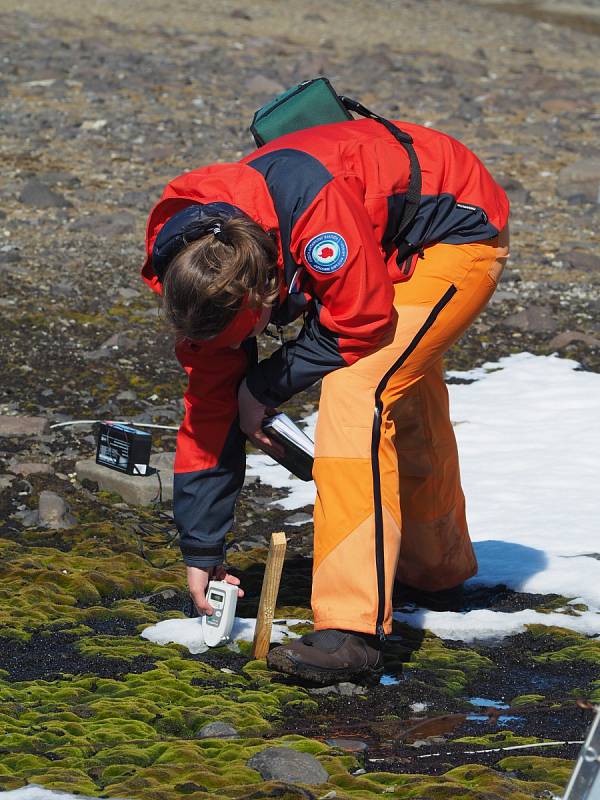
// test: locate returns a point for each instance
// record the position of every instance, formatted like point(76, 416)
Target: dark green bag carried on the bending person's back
point(311, 103)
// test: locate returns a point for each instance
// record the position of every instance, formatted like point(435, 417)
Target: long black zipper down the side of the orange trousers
point(375, 440)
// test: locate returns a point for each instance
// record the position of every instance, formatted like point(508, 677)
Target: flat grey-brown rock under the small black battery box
point(137, 490)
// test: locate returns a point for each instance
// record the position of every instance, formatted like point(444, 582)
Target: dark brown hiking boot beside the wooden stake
point(329, 656)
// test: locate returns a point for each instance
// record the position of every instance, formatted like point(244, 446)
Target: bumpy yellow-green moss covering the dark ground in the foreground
point(116, 715)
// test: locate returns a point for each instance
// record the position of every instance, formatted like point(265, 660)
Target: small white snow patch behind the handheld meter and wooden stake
point(188, 632)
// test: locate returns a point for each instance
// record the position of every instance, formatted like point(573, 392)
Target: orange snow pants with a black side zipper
point(389, 499)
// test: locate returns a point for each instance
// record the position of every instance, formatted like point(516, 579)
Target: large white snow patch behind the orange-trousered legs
point(528, 431)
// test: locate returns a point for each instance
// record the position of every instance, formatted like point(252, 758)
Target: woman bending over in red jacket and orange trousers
point(308, 225)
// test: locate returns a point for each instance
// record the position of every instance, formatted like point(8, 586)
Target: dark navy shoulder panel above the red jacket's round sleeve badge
point(294, 180)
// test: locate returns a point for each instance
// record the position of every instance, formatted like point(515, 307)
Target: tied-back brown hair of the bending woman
point(207, 283)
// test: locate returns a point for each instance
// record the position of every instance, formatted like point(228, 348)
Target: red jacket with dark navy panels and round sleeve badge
point(335, 196)
